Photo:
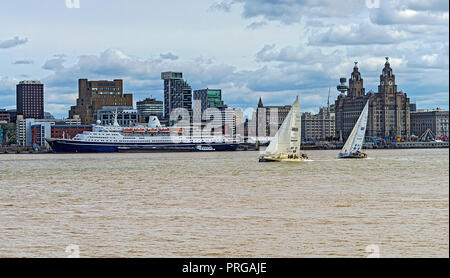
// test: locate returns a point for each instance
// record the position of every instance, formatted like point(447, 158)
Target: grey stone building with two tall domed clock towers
point(388, 109)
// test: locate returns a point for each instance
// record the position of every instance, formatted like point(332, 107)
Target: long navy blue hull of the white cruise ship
point(71, 146)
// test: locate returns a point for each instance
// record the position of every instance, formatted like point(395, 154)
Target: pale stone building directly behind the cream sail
point(270, 118)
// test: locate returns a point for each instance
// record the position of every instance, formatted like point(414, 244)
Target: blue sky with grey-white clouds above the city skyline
point(273, 49)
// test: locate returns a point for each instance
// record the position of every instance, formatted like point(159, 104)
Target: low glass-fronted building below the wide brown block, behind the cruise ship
point(126, 115)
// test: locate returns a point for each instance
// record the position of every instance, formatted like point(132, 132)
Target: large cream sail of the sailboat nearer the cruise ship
point(288, 138)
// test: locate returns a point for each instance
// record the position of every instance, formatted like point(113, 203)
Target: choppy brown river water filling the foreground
point(394, 204)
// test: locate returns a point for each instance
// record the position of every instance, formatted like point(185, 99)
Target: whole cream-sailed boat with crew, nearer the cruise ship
point(285, 146)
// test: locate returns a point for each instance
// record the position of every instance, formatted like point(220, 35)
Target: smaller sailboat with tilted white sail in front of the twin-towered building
point(353, 145)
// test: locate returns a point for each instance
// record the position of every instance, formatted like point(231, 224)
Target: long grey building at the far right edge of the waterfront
point(435, 120)
